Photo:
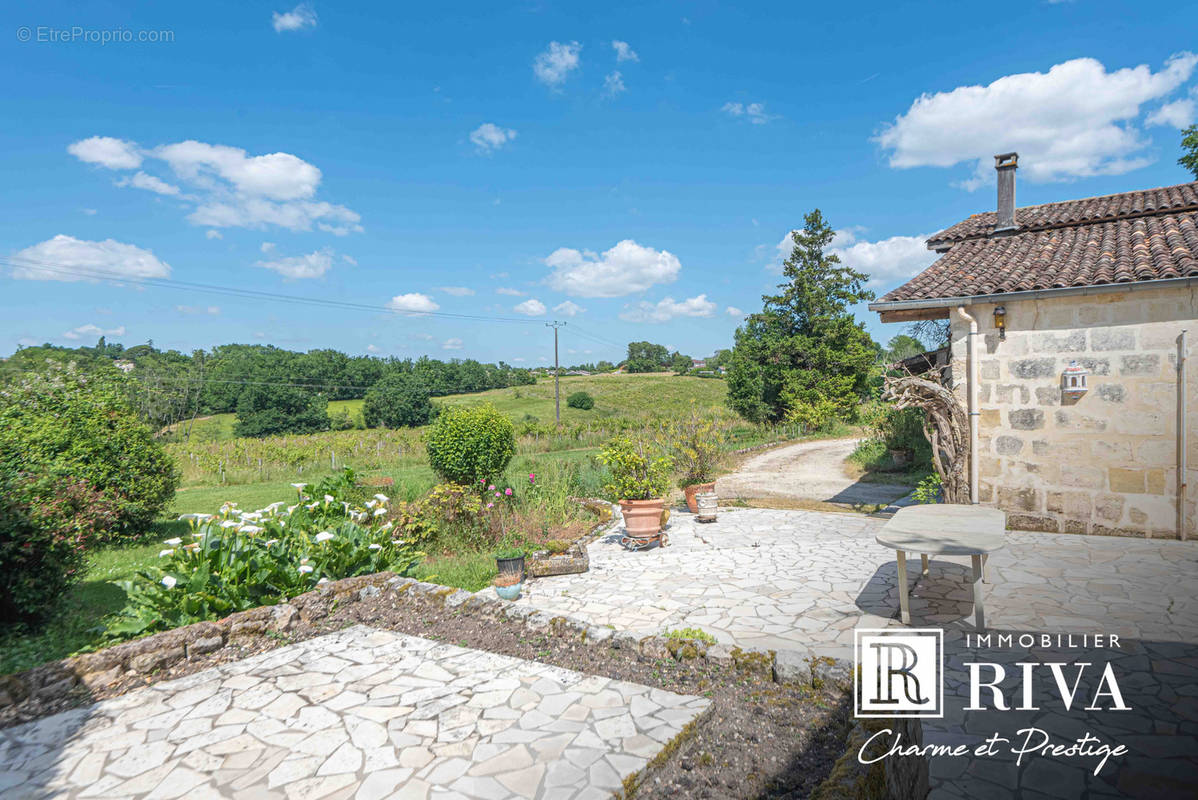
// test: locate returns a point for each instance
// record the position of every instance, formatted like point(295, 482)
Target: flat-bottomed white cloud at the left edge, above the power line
point(40, 262)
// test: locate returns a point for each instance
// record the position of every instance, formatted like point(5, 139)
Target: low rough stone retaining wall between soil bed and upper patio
point(52, 686)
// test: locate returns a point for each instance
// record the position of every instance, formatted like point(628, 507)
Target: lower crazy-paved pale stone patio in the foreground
point(362, 713)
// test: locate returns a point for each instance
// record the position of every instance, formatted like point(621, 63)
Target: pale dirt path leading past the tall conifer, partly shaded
point(808, 472)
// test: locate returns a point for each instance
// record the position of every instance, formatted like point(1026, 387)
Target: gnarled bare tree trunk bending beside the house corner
point(947, 427)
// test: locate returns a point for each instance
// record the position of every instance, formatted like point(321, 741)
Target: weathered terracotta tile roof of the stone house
point(1118, 239)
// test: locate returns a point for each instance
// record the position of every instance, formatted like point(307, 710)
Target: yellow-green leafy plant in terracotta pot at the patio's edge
point(639, 482)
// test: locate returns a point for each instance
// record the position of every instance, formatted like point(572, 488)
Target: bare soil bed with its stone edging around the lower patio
point(763, 737)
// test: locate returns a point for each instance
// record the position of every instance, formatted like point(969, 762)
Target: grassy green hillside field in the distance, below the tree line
point(632, 397)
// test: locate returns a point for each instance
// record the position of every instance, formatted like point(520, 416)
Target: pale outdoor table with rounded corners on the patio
point(937, 530)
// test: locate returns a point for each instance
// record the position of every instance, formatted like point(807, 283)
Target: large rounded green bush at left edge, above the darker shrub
point(82, 425)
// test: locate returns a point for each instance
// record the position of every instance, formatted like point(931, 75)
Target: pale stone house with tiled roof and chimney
point(1084, 314)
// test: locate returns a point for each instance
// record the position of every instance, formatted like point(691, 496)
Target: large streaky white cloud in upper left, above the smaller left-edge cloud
point(234, 190)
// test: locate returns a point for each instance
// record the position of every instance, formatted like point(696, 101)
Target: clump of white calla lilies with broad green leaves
point(243, 560)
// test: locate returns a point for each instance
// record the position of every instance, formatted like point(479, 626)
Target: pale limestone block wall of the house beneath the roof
point(1105, 463)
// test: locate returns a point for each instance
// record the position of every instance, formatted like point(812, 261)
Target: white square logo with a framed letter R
point(899, 672)
